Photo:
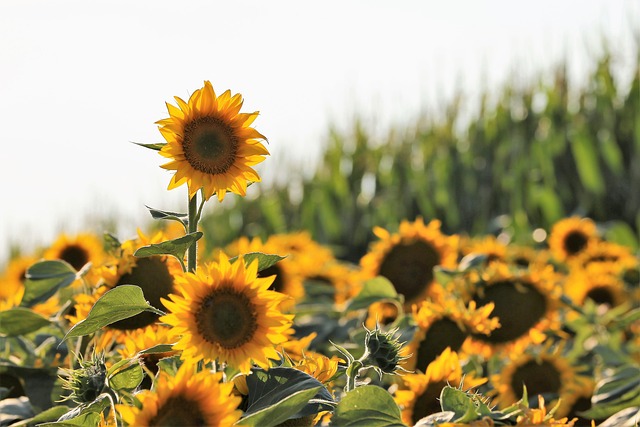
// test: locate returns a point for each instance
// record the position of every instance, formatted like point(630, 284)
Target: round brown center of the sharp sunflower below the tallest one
point(227, 317)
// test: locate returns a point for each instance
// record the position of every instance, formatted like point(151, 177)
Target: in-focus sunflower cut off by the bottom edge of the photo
point(188, 398)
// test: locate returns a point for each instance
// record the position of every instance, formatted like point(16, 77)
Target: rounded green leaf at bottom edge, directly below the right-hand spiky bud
point(368, 405)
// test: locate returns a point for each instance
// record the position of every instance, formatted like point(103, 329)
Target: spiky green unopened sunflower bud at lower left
point(88, 381)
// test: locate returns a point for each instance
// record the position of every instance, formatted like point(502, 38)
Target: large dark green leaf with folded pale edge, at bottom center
point(271, 395)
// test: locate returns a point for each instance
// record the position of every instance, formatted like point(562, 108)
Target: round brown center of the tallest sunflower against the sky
point(210, 145)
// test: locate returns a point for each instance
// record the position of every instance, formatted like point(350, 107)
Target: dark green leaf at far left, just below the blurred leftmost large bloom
point(44, 279)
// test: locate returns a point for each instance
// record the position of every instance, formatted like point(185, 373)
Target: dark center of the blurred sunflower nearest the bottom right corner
point(539, 378)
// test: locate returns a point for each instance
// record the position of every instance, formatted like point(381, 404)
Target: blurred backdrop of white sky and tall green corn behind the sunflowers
point(495, 117)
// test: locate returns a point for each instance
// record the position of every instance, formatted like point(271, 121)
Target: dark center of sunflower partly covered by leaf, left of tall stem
point(153, 276)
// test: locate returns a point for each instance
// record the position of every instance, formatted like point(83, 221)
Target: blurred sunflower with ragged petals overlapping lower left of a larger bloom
point(447, 323)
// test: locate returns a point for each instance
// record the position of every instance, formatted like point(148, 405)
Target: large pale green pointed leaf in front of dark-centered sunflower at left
point(119, 303)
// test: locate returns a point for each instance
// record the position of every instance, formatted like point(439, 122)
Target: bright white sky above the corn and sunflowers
point(79, 80)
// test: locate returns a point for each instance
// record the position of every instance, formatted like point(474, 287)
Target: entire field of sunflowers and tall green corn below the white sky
point(480, 270)
